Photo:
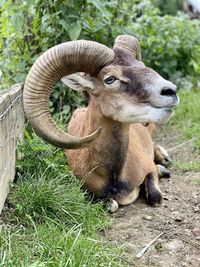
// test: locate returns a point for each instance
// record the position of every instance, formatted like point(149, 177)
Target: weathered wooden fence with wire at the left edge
point(11, 130)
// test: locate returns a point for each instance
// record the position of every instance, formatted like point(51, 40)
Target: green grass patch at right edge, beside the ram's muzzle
point(187, 117)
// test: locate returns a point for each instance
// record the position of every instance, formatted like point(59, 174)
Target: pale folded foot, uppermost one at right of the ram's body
point(161, 156)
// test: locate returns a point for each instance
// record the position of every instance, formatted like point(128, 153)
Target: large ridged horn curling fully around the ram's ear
point(59, 61)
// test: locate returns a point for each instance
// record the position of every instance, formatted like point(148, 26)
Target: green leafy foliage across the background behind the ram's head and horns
point(170, 45)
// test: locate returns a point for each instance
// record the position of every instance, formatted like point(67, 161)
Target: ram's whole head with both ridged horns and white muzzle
point(118, 81)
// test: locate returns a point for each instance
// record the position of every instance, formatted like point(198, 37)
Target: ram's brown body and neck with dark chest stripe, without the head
point(121, 157)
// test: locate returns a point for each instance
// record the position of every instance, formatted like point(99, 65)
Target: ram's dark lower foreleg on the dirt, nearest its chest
point(154, 196)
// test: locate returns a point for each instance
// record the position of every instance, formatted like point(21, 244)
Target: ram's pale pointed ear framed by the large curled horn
point(78, 81)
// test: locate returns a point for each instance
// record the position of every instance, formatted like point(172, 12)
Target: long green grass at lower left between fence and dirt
point(50, 220)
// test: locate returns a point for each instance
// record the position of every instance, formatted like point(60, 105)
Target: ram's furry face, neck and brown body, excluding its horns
point(122, 158)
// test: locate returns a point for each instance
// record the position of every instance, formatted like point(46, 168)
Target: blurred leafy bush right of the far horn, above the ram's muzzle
point(168, 49)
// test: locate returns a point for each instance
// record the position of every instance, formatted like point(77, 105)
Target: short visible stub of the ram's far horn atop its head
point(128, 43)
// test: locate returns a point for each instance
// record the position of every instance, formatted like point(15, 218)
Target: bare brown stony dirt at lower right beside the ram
point(178, 219)
